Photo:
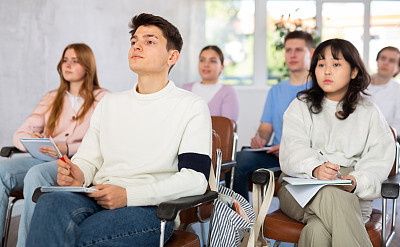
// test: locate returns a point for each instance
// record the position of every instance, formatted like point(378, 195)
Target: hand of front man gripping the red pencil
point(69, 174)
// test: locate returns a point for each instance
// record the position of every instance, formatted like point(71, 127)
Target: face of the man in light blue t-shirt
point(297, 55)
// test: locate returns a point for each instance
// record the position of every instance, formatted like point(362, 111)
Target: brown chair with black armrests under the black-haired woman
point(281, 228)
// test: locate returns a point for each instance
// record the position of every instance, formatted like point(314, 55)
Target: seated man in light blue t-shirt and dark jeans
point(298, 52)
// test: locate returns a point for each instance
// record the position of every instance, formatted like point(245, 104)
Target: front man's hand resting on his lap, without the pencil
point(110, 196)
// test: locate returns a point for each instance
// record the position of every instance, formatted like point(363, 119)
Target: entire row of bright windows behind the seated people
point(233, 24)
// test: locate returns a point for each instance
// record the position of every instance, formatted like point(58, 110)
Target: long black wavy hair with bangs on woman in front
point(358, 85)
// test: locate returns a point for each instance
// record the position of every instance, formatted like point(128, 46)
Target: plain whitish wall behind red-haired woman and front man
point(33, 35)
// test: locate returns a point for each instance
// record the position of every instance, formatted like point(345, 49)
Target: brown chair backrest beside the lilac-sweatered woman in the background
point(226, 129)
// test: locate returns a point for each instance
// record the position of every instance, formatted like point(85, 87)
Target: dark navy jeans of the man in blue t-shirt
point(247, 162)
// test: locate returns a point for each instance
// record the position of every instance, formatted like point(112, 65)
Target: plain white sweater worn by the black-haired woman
point(363, 141)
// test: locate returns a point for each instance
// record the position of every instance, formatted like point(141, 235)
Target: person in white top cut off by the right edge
point(384, 90)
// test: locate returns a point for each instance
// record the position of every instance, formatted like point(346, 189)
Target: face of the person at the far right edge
point(388, 63)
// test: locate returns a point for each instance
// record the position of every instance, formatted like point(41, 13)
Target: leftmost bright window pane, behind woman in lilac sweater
point(230, 25)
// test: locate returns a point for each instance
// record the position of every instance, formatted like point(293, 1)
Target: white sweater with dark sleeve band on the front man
point(157, 146)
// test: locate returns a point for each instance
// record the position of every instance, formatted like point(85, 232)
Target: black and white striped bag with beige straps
point(229, 228)
